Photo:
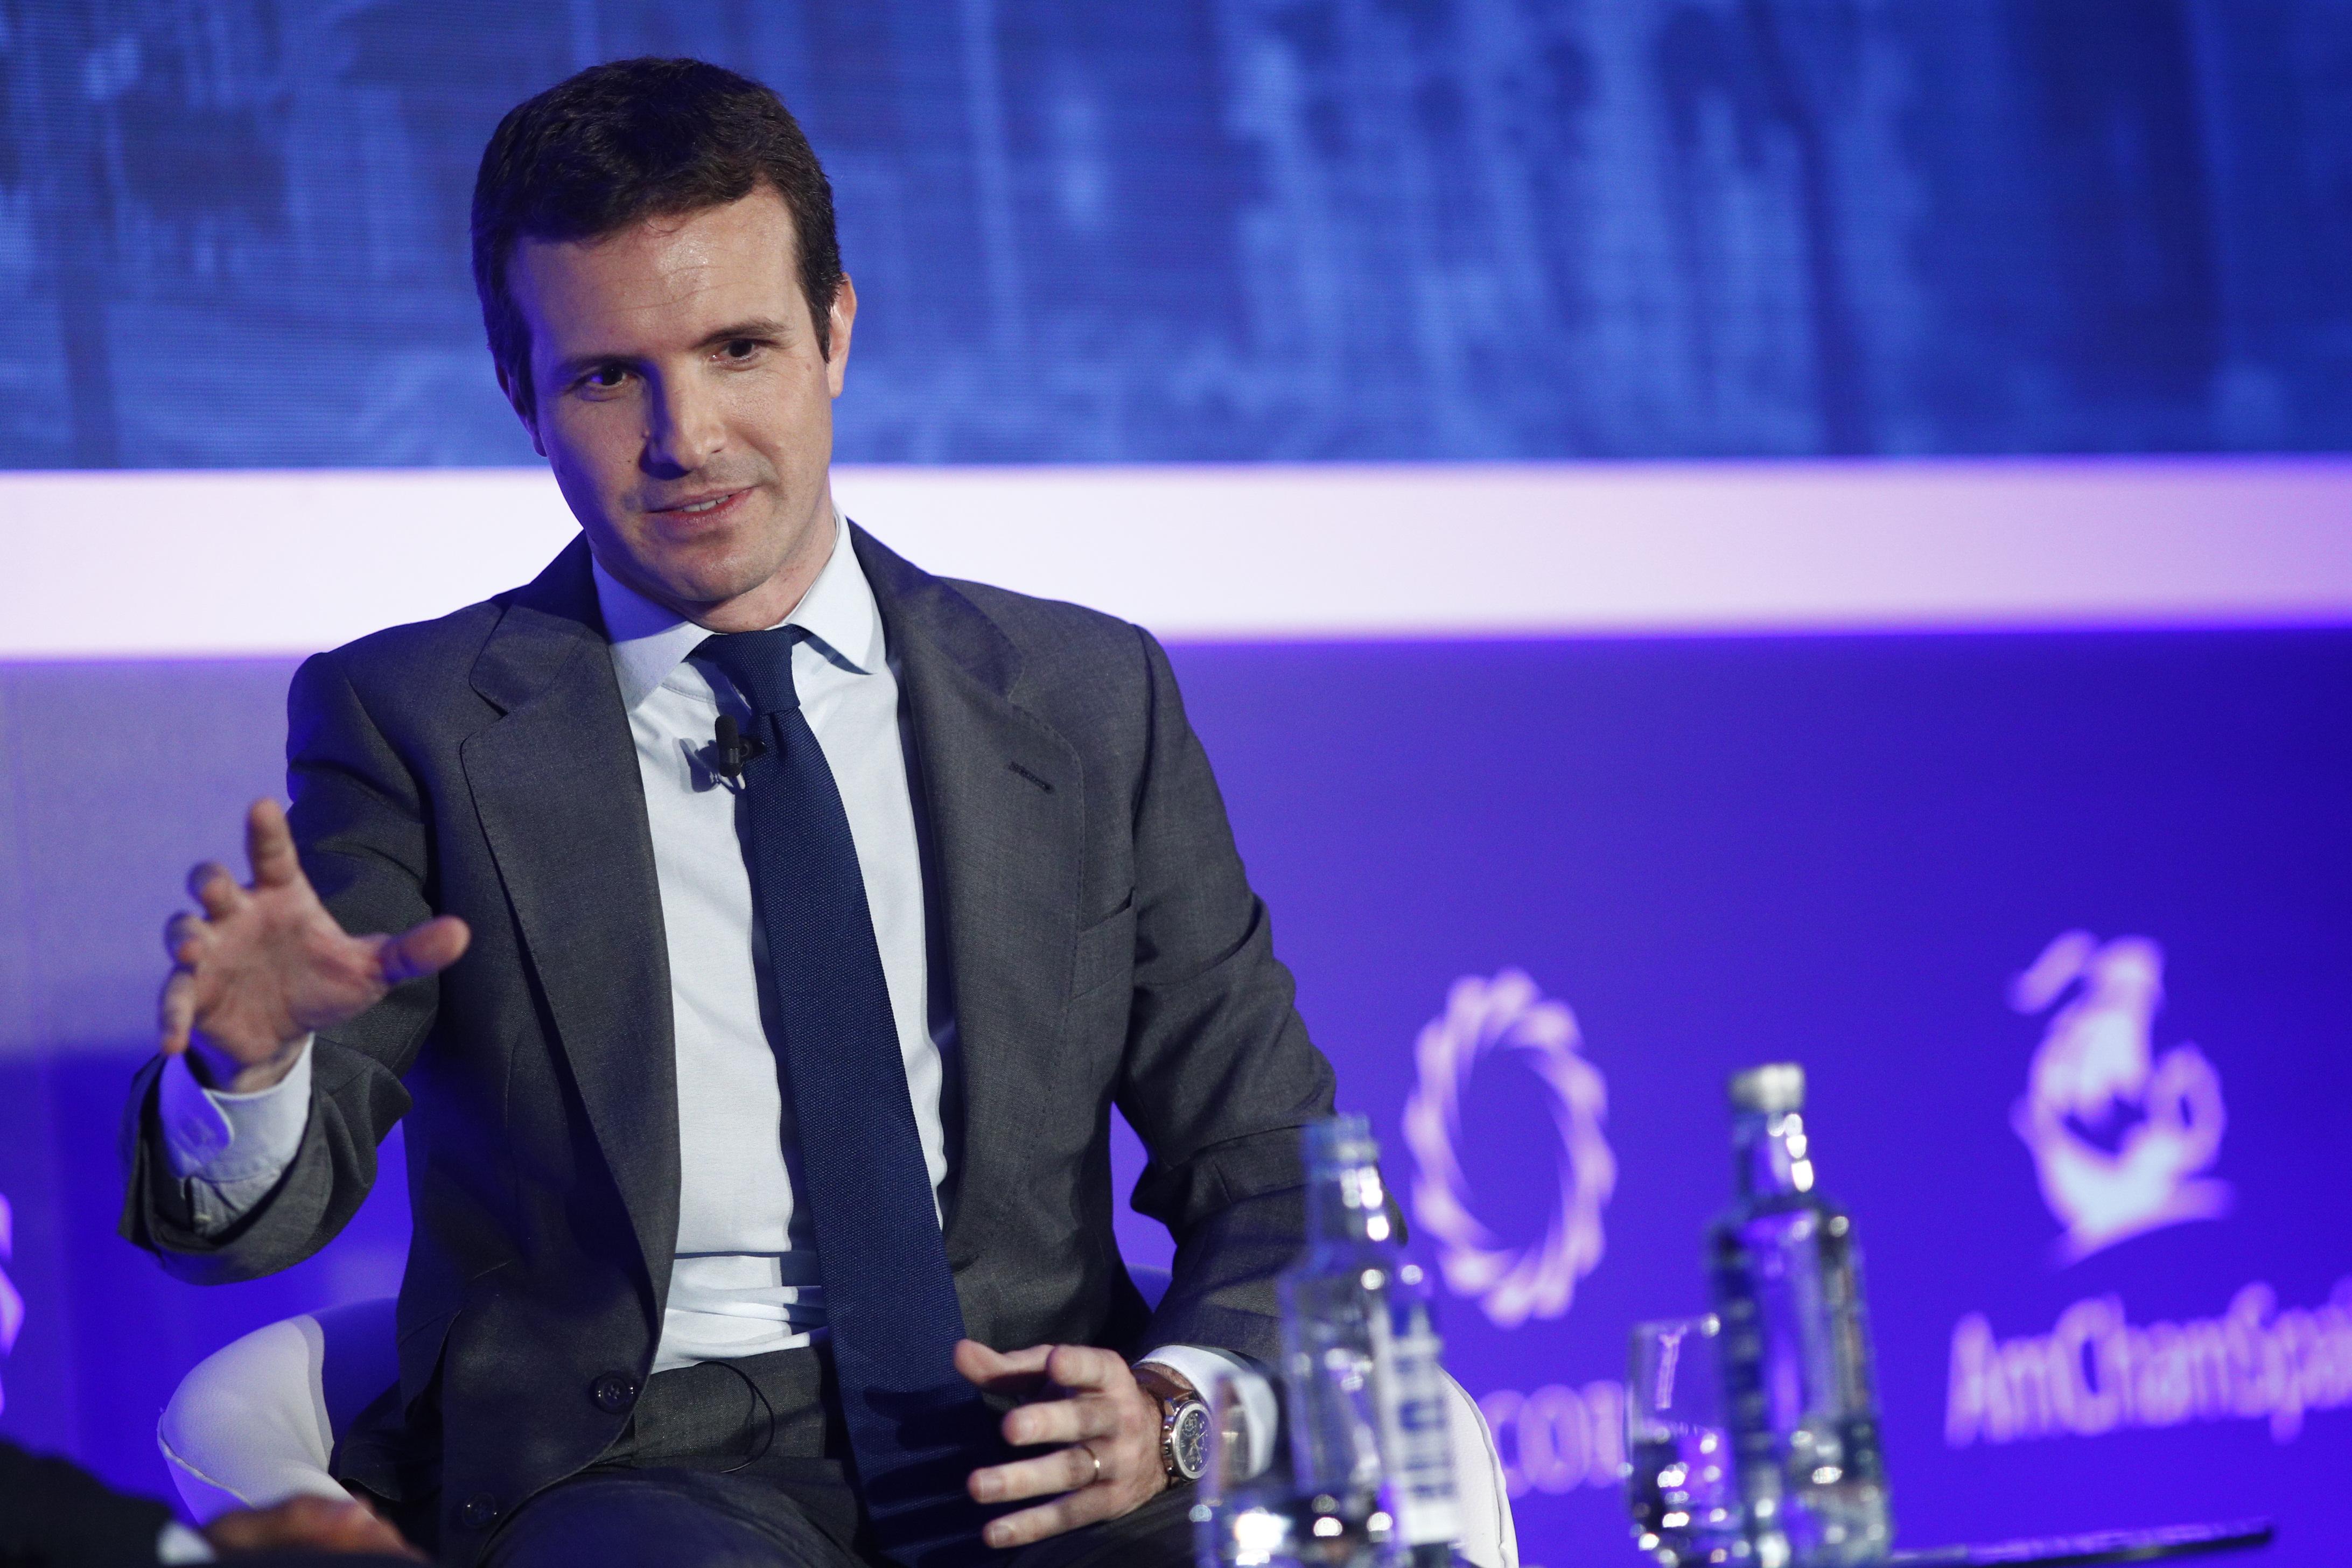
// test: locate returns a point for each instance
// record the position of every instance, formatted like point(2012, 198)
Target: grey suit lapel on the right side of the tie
point(1005, 803)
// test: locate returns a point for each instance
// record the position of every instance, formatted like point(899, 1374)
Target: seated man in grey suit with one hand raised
point(742, 894)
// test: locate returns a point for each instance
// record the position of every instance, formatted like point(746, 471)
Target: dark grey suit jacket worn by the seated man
point(1104, 949)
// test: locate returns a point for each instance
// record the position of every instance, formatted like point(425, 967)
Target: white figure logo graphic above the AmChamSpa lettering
point(2118, 1134)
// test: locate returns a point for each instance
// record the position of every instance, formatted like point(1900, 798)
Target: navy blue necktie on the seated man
point(916, 1428)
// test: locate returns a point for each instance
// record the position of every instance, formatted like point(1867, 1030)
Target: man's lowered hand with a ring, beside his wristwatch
point(1107, 1428)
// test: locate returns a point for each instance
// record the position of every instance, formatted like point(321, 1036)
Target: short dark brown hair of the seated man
point(636, 140)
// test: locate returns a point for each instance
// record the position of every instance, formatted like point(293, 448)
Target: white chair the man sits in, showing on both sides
point(255, 1421)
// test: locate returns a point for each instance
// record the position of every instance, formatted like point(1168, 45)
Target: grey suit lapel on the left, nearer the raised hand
point(563, 808)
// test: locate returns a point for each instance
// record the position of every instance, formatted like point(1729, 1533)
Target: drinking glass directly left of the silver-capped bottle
point(1681, 1485)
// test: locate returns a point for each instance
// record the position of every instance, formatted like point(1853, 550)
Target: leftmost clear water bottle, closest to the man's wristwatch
point(1335, 1315)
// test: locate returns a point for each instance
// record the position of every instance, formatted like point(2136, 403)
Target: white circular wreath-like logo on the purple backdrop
point(1509, 1014)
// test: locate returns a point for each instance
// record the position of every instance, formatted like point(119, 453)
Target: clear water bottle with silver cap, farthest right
point(1798, 1376)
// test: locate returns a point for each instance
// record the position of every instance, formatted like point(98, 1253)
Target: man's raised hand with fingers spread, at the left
point(267, 965)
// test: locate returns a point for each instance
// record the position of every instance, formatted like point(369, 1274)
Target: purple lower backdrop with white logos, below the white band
point(2106, 1217)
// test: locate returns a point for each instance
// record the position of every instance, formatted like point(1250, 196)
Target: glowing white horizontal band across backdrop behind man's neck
point(189, 565)
